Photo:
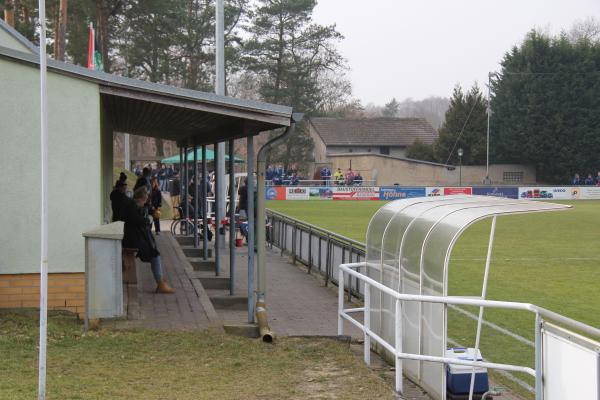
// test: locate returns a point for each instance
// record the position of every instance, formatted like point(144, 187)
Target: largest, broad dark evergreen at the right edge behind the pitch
point(546, 107)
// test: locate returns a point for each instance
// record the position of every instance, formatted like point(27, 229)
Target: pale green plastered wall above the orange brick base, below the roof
point(74, 168)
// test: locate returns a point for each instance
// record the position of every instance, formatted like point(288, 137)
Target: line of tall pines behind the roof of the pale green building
point(274, 51)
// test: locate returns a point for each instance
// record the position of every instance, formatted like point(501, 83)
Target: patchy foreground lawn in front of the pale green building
point(145, 364)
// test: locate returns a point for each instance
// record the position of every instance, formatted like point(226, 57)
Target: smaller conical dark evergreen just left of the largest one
point(465, 127)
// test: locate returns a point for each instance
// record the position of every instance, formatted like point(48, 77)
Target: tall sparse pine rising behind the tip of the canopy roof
point(292, 58)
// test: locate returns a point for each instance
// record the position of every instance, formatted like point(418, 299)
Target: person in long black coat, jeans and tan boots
point(137, 235)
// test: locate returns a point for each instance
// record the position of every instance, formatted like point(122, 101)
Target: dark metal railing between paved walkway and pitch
point(317, 248)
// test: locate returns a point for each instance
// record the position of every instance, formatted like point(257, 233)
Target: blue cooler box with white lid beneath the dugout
point(458, 377)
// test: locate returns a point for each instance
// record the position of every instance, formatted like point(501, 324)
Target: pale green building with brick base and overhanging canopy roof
point(84, 109)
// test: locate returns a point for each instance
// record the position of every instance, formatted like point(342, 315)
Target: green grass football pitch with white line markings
point(549, 259)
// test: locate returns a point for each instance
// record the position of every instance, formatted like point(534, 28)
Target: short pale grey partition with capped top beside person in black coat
point(103, 272)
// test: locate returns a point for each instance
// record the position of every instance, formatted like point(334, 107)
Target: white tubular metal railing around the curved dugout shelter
point(351, 269)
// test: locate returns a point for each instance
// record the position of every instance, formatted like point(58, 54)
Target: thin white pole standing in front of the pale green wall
point(44, 208)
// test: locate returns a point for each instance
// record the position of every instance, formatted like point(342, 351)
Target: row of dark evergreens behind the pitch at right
point(545, 109)
